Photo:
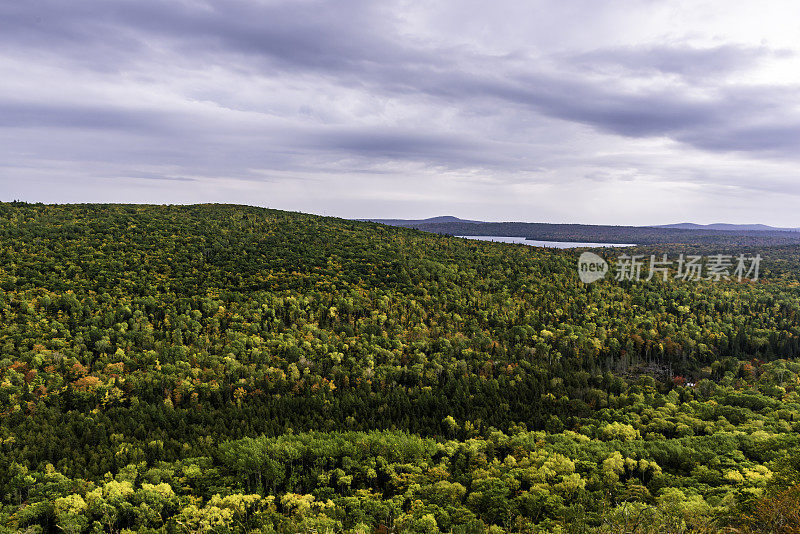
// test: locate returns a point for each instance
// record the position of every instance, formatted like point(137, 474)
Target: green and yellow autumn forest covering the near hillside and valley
point(222, 368)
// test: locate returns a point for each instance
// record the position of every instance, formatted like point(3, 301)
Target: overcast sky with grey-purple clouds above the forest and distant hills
point(618, 112)
